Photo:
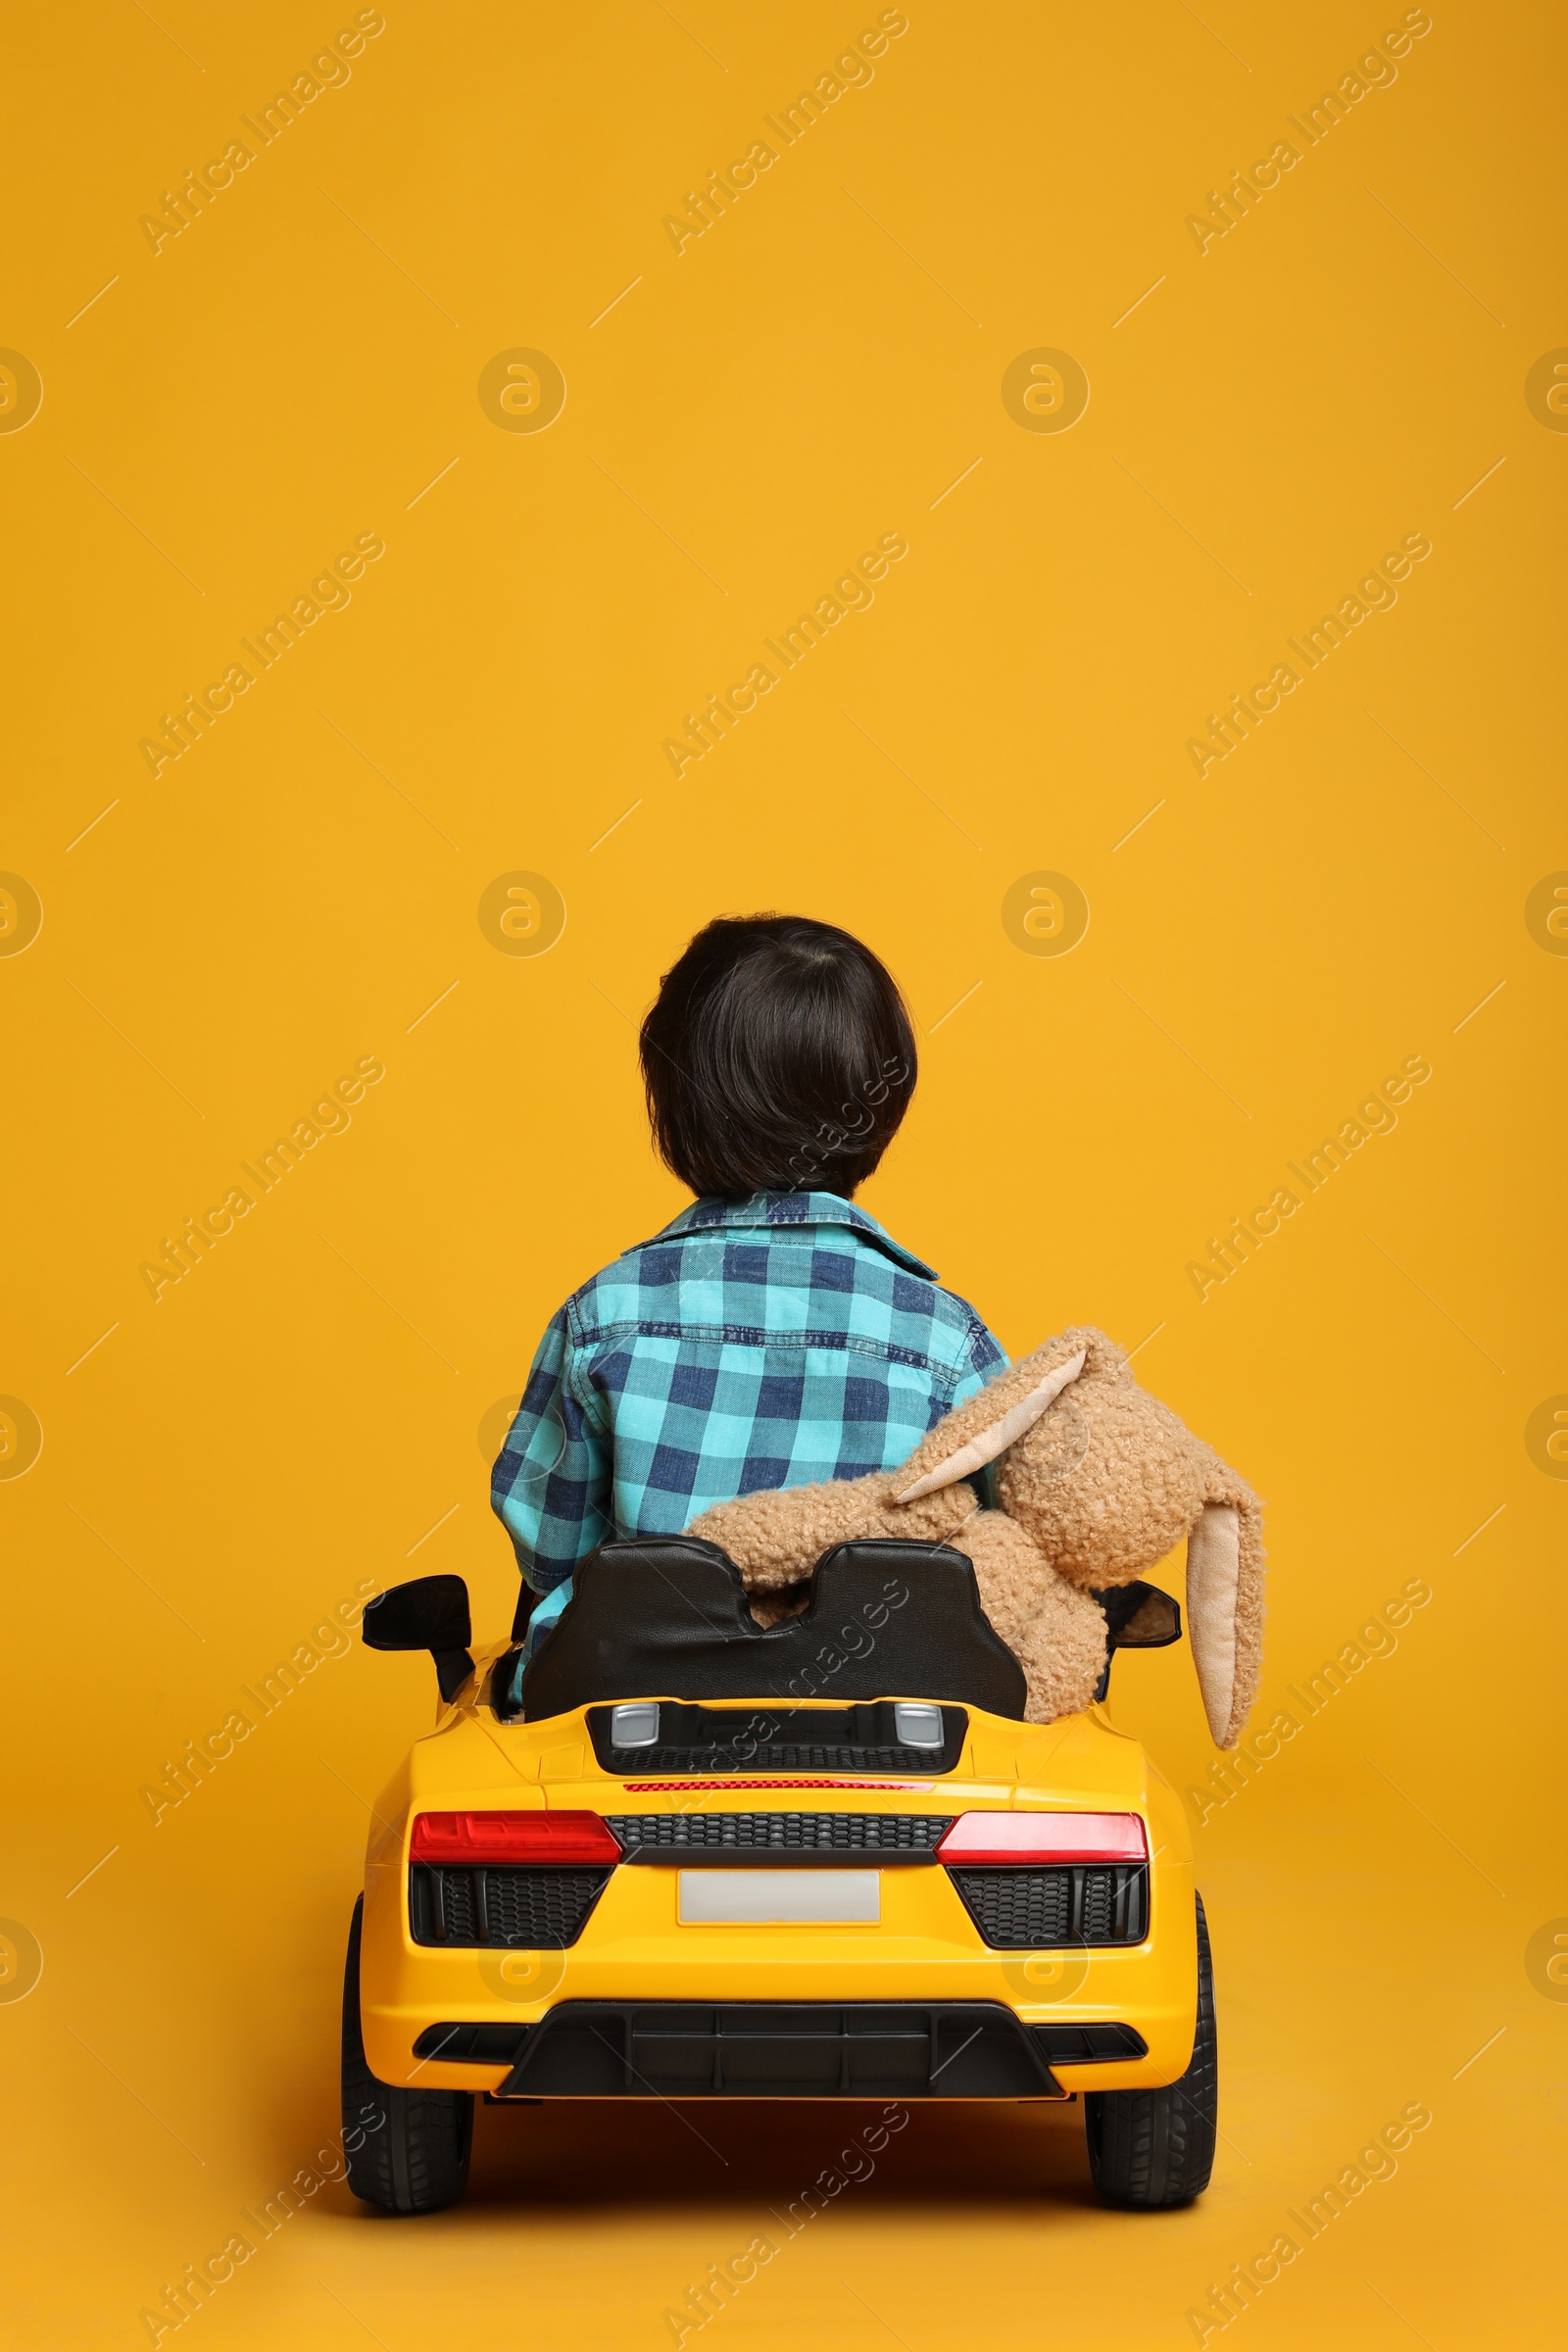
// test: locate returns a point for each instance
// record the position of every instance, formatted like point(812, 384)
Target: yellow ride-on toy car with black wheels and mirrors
point(678, 1857)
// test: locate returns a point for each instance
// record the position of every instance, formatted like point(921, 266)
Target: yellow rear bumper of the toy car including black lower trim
point(645, 2007)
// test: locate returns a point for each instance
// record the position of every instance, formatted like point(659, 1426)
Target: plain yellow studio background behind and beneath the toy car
point(295, 893)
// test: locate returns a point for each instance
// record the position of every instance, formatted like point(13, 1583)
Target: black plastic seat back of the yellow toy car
point(664, 1617)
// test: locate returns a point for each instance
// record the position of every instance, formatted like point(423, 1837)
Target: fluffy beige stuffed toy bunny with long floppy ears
point(1097, 1485)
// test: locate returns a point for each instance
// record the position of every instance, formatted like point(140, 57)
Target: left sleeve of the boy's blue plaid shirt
point(551, 1485)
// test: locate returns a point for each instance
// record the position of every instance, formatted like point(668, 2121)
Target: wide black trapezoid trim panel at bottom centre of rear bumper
point(782, 2050)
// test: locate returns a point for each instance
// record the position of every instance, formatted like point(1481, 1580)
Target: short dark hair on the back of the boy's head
point(777, 1060)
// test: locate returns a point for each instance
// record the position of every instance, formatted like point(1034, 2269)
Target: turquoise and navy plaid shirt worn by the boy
point(751, 1344)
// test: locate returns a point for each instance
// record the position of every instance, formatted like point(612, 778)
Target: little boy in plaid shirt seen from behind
point(775, 1335)
